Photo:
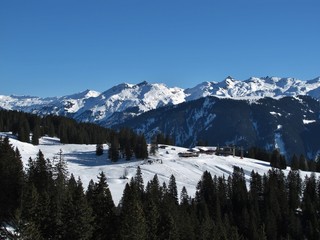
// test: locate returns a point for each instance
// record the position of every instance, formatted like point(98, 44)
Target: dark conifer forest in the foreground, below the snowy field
point(43, 202)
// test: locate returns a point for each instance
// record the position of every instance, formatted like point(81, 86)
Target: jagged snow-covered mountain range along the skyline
point(128, 100)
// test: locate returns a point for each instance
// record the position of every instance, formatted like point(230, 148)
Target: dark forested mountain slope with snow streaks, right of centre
point(290, 123)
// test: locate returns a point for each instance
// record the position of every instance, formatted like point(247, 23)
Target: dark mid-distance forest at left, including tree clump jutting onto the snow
point(124, 143)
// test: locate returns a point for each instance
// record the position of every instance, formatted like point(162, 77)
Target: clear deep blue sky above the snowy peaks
point(60, 47)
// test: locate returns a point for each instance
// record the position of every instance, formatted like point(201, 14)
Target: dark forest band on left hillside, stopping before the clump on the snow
point(68, 130)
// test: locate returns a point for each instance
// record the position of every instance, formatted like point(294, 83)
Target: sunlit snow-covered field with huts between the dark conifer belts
point(82, 162)
